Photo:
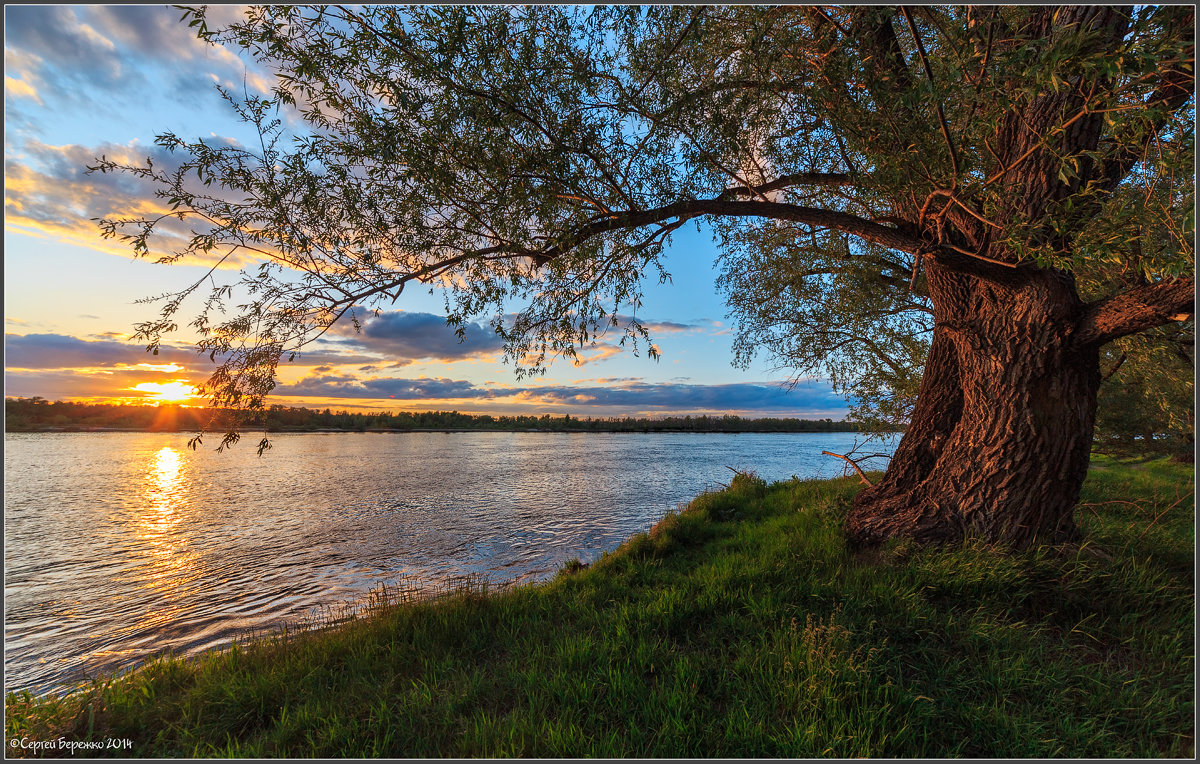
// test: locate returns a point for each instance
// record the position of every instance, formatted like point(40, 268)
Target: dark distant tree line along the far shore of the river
point(39, 414)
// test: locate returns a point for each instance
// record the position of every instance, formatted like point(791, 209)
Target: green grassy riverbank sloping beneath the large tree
point(741, 628)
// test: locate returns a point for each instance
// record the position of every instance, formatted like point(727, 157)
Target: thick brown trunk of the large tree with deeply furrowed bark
point(1001, 435)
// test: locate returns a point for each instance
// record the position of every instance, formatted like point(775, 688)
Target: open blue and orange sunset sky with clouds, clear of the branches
point(88, 81)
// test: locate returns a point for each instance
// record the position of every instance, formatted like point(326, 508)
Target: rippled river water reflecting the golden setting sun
point(121, 546)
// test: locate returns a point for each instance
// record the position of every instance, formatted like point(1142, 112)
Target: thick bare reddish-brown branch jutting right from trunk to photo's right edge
point(1137, 310)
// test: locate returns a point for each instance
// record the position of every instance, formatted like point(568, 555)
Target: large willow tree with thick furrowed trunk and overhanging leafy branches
point(884, 181)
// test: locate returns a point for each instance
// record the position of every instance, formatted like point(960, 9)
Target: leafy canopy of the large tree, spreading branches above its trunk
point(538, 159)
